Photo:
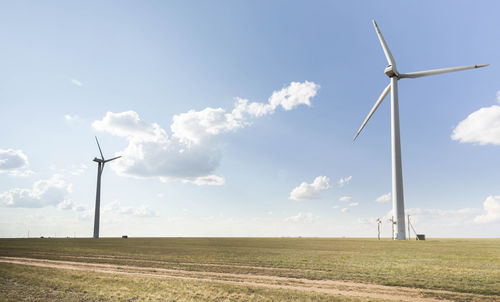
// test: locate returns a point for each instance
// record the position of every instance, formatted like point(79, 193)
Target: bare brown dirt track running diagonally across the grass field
point(333, 287)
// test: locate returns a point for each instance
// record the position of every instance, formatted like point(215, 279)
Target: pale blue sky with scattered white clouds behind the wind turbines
point(236, 118)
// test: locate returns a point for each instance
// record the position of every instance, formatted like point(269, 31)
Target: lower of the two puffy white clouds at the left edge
point(52, 191)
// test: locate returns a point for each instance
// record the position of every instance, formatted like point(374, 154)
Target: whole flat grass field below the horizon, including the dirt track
point(250, 269)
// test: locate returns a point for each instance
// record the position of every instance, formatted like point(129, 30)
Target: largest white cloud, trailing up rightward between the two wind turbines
point(193, 152)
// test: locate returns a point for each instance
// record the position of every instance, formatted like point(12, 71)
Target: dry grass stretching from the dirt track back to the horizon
point(465, 265)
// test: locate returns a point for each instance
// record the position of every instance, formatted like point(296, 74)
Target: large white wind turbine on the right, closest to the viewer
point(397, 174)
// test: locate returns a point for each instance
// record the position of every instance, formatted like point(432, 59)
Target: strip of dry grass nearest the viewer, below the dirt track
point(23, 283)
